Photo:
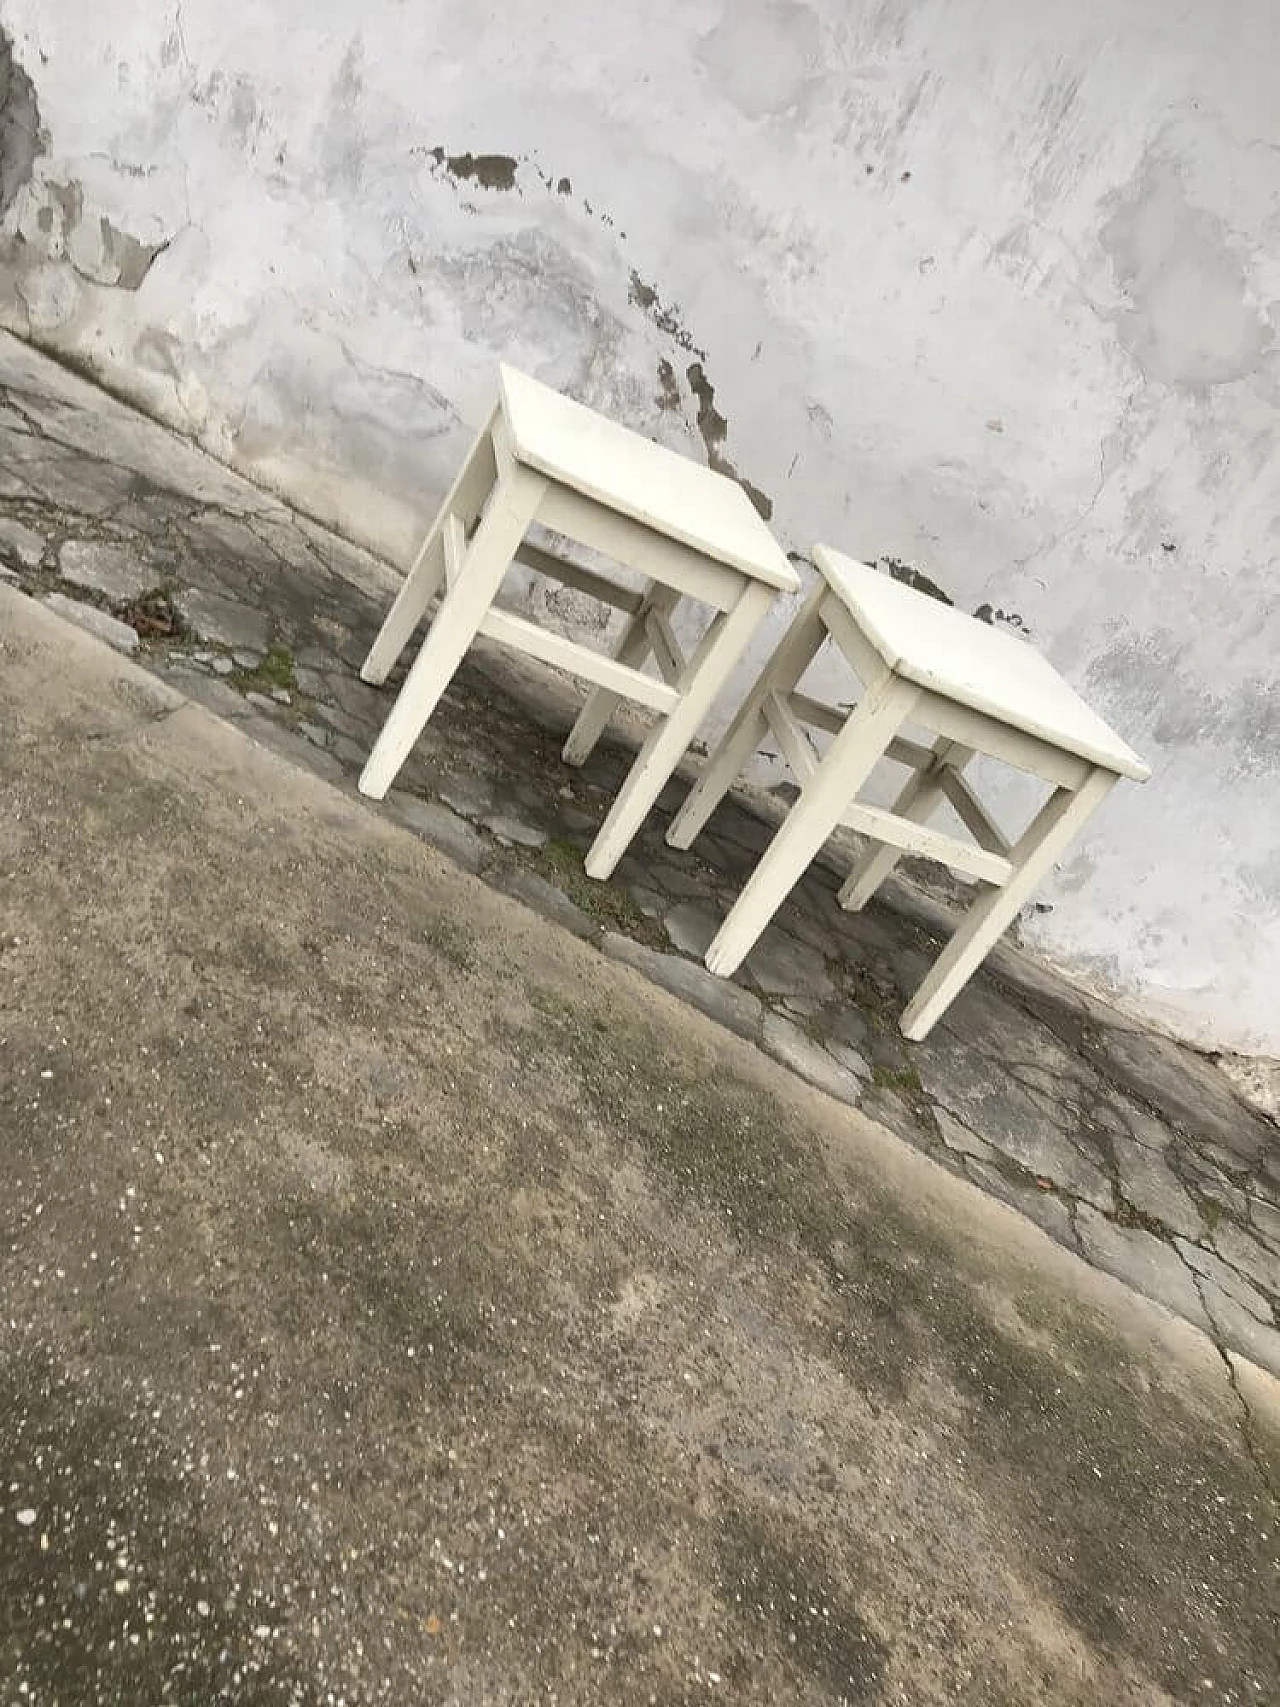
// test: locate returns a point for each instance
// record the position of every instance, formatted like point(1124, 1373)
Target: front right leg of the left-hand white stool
point(668, 742)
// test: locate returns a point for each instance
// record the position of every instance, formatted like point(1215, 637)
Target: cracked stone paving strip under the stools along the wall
point(1126, 1148)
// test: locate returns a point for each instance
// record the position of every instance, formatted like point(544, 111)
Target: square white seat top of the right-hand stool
point(970, 661)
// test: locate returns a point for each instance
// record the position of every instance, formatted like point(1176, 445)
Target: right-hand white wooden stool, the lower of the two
point(980, 690)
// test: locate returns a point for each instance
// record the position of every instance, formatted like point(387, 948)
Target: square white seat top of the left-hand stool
point(636, 477)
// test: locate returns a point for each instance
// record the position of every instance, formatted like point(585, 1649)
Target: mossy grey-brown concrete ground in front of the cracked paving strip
point(404, 1302)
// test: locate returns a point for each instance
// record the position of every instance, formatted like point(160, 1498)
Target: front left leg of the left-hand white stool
point(504, 525)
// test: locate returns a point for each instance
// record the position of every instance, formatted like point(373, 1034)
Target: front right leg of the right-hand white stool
point(1045, 841)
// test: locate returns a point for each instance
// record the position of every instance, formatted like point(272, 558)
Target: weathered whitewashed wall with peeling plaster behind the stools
point(984, 289)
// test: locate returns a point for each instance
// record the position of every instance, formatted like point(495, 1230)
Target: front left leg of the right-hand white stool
point(841, 774)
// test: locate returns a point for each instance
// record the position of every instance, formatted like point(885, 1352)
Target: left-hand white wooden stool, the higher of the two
point(690, 532)
